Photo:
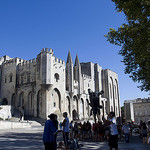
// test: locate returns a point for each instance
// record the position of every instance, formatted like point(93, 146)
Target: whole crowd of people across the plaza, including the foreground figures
point(105, 130)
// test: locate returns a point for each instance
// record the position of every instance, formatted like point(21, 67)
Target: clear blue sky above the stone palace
point(27, 26)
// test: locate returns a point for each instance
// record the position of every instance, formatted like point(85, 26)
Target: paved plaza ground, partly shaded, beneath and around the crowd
point(31, 139)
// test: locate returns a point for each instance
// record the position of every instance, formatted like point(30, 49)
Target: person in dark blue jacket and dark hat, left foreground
point(49, 133)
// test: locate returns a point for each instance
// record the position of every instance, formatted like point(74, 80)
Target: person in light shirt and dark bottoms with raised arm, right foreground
point(113, 137)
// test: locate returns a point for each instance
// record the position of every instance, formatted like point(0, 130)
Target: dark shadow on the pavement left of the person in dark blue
point(16, 141)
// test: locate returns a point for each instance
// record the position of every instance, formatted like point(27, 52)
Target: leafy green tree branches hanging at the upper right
point(134, 39)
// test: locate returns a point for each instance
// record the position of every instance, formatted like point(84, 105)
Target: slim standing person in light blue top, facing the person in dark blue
point(65, 125)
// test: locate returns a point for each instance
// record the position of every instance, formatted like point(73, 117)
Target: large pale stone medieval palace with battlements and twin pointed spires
point(48, 84)
